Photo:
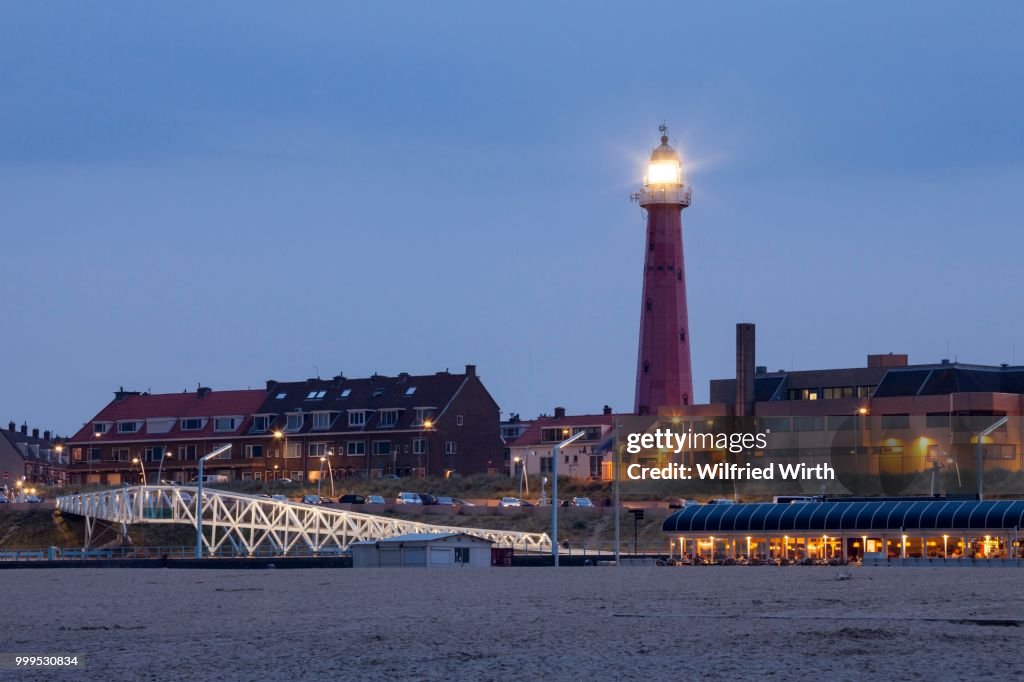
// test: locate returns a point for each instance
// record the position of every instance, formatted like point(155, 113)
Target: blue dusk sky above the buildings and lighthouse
point(228, 193)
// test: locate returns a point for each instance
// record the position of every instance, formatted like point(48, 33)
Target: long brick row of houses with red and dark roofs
point(439, 424)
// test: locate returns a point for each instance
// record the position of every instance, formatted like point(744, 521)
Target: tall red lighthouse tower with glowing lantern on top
point(664, 375)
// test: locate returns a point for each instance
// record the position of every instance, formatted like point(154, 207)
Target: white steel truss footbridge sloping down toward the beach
point(252, 525)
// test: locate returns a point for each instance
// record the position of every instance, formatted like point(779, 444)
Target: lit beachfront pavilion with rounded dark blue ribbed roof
point(823, 531)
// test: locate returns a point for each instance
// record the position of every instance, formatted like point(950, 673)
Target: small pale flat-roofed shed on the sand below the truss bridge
point(428, 550)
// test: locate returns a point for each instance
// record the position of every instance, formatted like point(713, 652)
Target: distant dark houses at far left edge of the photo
point(31, 457)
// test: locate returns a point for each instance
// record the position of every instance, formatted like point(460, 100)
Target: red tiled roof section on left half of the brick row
point(178, 406)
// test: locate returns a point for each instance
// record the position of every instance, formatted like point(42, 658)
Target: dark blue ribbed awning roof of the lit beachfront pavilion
point(850, 517)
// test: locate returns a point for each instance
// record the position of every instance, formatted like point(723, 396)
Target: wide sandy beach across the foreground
point(572, 624)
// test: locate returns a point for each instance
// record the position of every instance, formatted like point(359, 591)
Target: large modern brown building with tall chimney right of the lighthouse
point(888, 418)
